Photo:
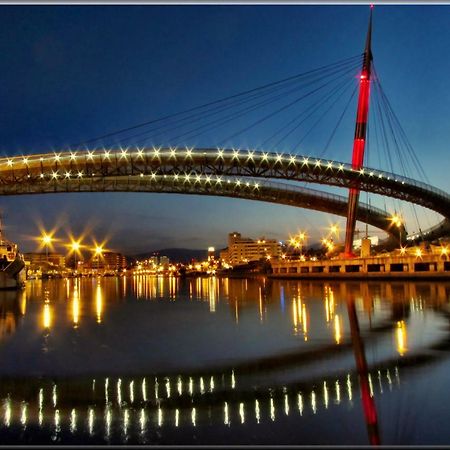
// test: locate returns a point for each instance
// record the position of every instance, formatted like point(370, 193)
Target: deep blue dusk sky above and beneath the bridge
point(71, 73)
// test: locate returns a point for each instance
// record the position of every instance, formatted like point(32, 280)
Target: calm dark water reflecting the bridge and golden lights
point(152, 360)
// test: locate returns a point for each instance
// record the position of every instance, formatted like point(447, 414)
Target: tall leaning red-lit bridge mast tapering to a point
point(359, 141)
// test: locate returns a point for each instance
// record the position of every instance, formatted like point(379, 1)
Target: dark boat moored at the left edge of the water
point(12, 264)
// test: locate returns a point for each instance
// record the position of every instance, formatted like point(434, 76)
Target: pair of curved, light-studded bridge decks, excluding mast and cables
point(222, 172)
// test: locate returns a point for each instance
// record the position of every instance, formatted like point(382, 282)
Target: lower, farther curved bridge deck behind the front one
point(278, 193)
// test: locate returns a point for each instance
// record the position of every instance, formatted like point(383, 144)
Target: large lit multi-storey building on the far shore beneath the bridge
point(243, 250)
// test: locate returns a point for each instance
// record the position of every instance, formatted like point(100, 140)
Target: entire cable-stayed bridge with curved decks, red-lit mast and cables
point(266, 175)
